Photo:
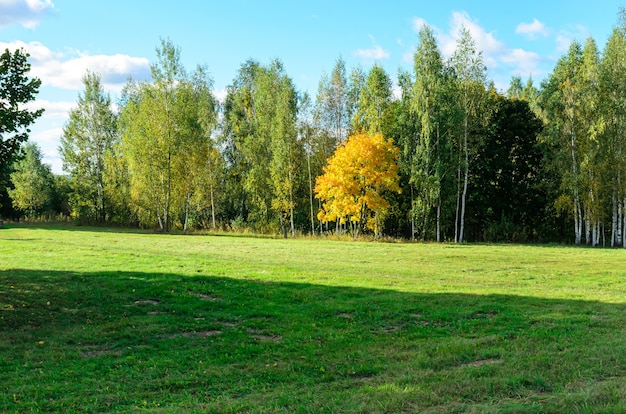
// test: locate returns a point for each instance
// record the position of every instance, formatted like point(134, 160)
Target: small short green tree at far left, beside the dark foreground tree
point(33, 182)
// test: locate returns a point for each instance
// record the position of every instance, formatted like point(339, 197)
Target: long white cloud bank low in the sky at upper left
point(66, 69)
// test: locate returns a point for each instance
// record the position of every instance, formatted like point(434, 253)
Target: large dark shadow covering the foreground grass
point(119, 341)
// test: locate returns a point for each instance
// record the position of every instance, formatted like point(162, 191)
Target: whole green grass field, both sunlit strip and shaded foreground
point(99, 320)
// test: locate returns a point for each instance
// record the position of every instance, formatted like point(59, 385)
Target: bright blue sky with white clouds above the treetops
point(117, 38)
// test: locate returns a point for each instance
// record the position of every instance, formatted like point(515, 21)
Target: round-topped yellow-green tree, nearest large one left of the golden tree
point(262, 146)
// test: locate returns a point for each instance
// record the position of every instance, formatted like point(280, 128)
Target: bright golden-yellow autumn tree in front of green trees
point(351, 188)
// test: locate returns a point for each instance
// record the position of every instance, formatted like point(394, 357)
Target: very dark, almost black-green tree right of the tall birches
point(509, 202)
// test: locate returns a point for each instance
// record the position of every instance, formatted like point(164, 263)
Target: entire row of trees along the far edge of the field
point(447, 158)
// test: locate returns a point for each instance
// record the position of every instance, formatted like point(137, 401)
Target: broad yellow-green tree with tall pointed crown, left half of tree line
point(161, 134)
